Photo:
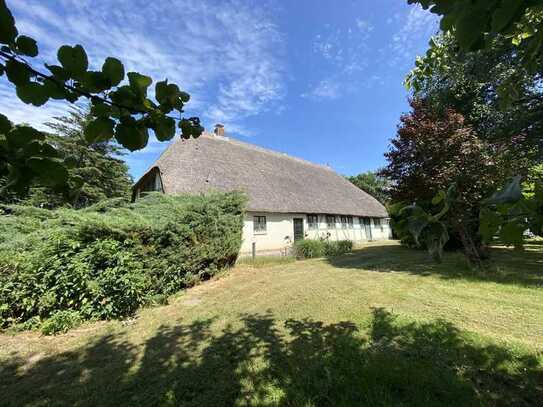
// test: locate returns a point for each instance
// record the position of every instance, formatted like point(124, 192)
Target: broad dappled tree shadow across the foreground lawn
point(294, 362)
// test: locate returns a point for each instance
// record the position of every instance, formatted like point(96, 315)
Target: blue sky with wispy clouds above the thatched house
point(320, 80)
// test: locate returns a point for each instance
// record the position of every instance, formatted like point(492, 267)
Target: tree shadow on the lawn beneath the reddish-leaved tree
point(506, 266)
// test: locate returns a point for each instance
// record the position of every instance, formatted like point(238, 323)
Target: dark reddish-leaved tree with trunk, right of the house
point(434, 150)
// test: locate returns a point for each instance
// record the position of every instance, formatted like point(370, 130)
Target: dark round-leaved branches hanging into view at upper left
point(120, 111)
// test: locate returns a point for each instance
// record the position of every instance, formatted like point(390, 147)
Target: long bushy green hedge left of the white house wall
point(108, 260)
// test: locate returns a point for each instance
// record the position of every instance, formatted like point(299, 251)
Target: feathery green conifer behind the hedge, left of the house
point(96, 166)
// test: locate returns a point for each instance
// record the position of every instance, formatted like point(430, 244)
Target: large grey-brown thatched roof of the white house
point(274, 182)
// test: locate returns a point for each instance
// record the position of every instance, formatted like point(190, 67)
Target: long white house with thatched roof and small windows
point(289, 198)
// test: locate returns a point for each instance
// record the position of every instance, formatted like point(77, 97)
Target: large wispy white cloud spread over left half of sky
point(227, 54)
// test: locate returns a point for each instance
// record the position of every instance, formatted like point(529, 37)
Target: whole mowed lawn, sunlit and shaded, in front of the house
point(382, 326)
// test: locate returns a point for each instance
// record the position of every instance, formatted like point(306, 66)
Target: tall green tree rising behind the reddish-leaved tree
point(470, 84)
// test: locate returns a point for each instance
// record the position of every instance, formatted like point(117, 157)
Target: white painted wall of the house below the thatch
point(279, 233)
